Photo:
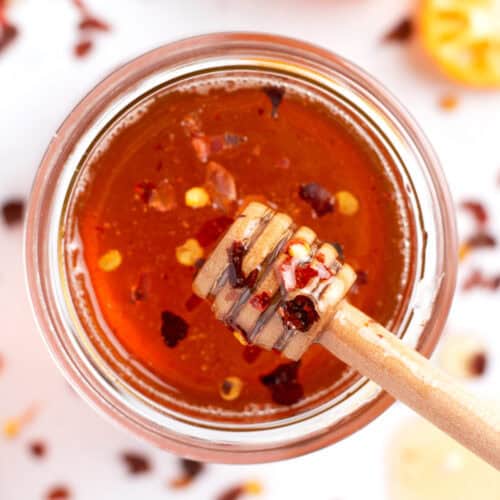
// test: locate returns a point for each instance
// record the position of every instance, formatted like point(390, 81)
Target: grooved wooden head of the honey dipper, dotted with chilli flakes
point(274, 282)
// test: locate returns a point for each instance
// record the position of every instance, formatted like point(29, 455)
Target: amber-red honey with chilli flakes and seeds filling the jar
point(132, 213)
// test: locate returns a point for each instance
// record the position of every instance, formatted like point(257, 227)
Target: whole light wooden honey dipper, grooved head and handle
point(284, 289)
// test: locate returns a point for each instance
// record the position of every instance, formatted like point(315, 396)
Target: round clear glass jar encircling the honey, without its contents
point(97, 379)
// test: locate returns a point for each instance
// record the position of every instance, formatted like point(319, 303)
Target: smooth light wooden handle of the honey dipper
point(409, 377)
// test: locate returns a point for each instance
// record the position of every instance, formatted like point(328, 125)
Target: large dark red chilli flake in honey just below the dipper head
point(283, 383)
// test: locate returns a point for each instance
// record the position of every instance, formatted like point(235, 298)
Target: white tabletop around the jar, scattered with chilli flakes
point(40, 81)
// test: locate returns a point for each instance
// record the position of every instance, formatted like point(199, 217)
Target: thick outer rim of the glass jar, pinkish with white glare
point(178, 59)
